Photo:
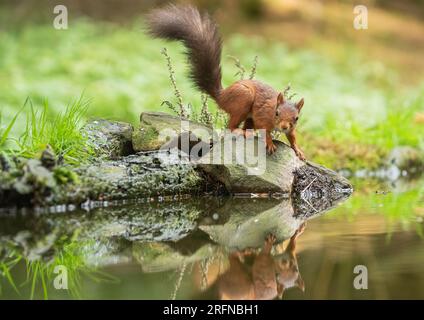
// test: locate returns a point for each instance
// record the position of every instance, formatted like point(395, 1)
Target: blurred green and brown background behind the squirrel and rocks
point(363, 89)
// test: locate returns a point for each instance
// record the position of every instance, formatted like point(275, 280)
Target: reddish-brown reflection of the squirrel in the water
point(261, 275)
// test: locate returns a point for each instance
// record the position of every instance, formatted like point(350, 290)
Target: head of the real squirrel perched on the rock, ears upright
point(287, 113)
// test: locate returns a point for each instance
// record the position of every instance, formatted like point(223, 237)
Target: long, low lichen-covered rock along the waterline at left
point(134, 176)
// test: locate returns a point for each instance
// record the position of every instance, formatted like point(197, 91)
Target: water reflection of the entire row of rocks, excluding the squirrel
point(188, 230)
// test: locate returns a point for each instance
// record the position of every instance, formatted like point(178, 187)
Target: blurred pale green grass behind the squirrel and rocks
point(355, 104)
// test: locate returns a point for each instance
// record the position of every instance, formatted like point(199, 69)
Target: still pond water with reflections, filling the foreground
point(215, 248)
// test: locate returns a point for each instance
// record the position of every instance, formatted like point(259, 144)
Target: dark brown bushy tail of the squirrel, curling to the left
point(201, 38)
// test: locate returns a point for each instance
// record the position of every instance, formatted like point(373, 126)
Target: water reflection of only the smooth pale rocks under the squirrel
point(237, 224)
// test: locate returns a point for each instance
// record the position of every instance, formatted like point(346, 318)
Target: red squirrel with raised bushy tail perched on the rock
point(256, 104)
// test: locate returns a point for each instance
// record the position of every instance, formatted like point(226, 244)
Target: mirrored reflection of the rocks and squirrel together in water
point(232, 245)
